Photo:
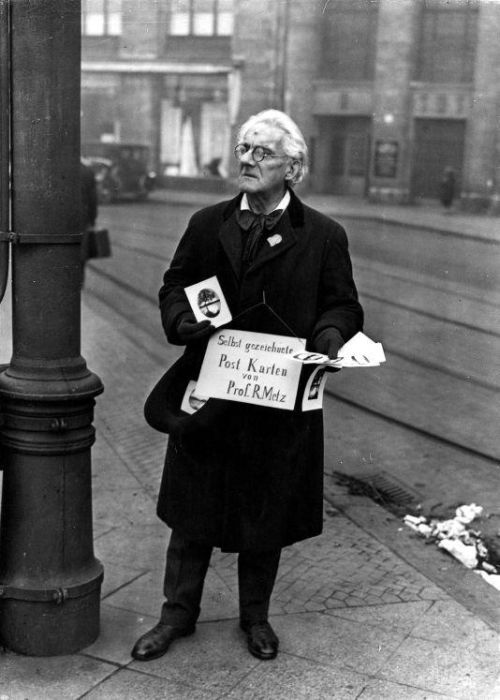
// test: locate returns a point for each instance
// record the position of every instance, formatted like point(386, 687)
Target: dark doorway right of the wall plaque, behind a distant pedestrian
point(438, 143)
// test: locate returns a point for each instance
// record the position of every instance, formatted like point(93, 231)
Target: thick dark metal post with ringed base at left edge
point(49, 578)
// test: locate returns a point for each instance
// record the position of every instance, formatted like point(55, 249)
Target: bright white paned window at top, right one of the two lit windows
point(201, 18)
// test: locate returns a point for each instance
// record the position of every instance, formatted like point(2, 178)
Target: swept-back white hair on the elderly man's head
point(293, 141)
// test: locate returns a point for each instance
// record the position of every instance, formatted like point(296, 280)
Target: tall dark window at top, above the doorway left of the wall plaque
point(349, 38)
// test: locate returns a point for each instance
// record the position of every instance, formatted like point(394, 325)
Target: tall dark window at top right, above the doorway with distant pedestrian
point(448, 38)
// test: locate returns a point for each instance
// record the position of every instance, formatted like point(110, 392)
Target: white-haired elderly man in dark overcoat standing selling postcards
point(245, 478)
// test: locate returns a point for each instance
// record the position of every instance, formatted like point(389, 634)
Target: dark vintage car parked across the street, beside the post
point(121, 170)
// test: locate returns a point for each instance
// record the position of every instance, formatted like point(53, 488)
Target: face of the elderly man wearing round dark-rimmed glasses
point(268, 176)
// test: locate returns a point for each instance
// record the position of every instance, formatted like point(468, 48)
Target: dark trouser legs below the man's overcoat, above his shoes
point(186, 568)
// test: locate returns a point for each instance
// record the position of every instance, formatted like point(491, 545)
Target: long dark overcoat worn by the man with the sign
point(240, 476)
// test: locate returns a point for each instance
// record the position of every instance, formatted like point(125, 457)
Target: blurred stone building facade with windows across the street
point(387, 92)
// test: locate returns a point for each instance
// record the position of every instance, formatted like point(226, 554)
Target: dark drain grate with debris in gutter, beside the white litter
point(383, 488)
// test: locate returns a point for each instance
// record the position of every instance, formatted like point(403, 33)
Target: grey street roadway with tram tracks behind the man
point(429, 416)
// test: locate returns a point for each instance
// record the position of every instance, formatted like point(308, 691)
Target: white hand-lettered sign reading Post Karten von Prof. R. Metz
point(256, 368)
